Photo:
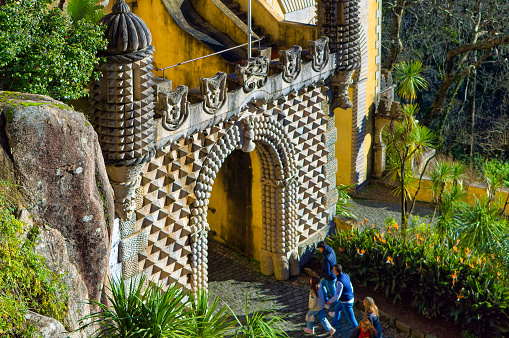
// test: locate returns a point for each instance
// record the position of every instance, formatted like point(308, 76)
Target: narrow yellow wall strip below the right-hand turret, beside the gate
point(343, 119)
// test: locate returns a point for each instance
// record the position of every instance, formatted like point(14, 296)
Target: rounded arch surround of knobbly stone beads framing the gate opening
point(279, 195)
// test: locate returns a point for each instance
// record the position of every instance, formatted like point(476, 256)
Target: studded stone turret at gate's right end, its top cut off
point(339, 21)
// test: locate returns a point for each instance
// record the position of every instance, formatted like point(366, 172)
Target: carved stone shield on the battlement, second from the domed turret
point(213, 92)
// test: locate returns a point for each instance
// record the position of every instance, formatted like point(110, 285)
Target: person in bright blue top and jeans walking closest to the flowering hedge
point(344, 298)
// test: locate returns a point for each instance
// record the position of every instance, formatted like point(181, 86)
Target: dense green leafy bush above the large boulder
point(43, 51)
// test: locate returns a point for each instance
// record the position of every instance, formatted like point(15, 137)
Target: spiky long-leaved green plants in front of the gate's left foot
point(140, 309)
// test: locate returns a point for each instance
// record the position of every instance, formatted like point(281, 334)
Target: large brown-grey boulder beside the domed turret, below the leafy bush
point(52, 153)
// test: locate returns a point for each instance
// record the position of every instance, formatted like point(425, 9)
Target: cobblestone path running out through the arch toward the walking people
point(234, 277)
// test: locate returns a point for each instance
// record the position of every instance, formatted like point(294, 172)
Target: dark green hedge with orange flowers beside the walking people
point(440, 279)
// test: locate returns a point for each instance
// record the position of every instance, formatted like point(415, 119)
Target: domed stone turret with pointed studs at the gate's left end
point(122, 100)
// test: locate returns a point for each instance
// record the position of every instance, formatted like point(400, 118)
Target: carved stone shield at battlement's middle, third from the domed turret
point(253, 73)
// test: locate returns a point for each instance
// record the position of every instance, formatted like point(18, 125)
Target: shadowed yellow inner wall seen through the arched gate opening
point(237, 221)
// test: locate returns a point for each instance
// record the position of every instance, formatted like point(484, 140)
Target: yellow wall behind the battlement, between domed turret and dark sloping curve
point(173, 45)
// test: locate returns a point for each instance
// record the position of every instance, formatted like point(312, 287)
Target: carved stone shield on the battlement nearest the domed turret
point(174, 107)
